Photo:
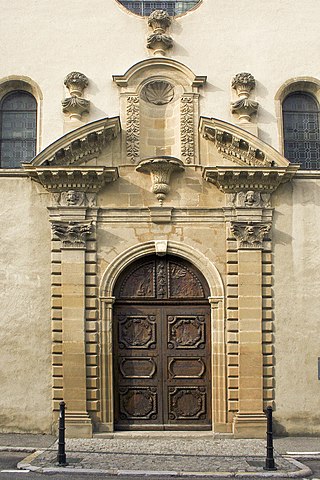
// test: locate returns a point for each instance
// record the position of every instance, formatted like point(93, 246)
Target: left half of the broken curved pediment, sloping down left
point(80, 145)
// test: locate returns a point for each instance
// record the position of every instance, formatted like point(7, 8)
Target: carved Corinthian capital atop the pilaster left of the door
point(72, 234)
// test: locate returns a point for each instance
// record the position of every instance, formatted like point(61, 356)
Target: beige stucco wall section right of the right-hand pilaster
point(297, 303)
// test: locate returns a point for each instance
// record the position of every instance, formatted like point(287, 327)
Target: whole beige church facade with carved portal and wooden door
point(159, 188)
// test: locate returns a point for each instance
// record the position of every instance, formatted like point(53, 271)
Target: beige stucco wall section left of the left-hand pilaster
point(25, 327)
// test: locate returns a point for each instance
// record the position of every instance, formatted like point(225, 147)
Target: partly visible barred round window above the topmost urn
point(146, 7)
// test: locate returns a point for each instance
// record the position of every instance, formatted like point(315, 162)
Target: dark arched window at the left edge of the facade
point(18, 119)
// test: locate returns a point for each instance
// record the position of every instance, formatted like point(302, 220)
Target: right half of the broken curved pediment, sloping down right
point(240, 146)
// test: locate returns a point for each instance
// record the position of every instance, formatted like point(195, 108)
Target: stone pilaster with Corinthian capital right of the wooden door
point(250, 420)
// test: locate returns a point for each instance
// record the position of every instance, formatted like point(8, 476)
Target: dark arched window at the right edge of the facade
point(301, 130)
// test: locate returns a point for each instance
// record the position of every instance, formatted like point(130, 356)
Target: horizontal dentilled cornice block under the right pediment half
point(230, 179)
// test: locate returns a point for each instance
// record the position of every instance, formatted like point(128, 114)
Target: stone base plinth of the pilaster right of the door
point(246, 425)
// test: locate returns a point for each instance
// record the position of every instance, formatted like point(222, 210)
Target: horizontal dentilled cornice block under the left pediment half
point(63, 179)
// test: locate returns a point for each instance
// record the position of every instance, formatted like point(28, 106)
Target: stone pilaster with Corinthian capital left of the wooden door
point(73, 237)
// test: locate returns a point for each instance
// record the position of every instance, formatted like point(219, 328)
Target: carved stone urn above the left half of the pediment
point(75, 105)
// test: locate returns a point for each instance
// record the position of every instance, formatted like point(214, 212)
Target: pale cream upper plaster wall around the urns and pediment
point(217, 40)
